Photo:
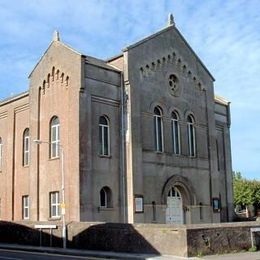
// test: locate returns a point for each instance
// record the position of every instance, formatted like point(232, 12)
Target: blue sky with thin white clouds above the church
point(224, 34)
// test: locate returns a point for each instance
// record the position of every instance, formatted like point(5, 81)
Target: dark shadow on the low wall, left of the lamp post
point(15, 233)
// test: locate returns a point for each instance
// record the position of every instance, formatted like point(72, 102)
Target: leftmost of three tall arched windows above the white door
point(158, 129)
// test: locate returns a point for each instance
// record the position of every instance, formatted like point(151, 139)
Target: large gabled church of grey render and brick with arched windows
point(138, 138)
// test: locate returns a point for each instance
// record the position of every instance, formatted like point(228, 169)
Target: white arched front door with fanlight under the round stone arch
point(174, 208)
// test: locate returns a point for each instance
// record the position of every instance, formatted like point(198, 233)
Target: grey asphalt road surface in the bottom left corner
point(22, 255)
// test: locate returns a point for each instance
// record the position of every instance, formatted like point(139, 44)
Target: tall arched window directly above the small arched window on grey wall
point(104, 139)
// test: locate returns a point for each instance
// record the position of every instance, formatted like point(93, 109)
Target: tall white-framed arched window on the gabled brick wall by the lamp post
point(54, 137)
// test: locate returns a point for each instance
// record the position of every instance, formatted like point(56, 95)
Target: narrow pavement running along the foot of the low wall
point(119, 255)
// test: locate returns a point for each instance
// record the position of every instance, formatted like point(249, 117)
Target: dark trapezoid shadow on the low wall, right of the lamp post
point(112, 237)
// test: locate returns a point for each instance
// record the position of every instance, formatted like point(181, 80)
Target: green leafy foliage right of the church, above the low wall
point(246, 192)
